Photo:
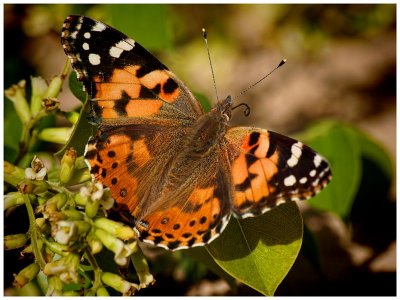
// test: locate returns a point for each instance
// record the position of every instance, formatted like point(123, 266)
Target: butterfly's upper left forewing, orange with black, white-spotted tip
point(126, 83)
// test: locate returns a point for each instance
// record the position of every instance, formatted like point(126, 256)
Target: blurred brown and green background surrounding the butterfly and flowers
point(341, 65)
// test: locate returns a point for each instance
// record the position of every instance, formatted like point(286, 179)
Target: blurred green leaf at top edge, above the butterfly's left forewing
point(146, 23)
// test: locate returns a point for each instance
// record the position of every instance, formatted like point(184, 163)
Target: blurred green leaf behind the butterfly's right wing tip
point(339, 144)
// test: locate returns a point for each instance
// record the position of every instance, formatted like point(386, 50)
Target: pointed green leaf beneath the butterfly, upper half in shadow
point(260, 251)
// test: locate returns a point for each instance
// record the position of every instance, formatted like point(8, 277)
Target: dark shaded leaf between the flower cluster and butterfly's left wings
point(82, 131)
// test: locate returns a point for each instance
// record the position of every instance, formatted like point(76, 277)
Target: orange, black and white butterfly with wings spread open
point(179, 172)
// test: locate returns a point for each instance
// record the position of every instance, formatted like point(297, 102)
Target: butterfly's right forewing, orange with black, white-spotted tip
point(269, 169)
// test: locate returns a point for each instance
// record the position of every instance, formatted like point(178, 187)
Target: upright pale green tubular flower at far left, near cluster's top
point(16, 93)
